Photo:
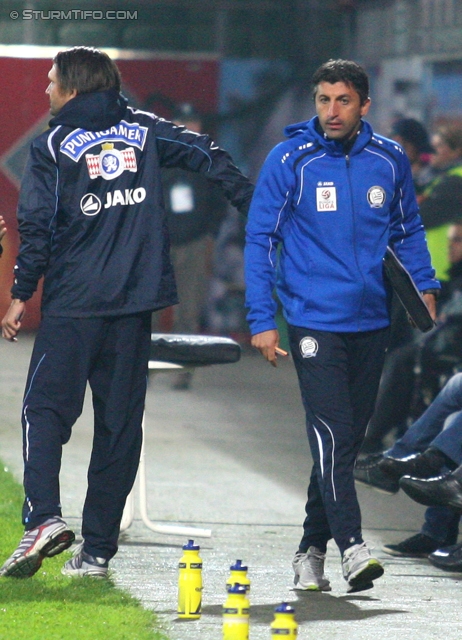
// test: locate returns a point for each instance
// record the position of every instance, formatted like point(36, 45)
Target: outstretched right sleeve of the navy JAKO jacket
point(179, 147)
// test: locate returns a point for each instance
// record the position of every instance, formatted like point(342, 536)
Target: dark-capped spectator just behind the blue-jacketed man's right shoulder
point(414, 139)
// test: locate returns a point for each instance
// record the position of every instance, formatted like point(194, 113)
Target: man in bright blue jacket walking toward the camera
point(328, 202)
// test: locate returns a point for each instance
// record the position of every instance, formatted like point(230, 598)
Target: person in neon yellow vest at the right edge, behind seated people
point(441, 202)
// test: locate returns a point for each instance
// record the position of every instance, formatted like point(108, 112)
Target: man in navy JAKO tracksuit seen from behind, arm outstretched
point(92, 222)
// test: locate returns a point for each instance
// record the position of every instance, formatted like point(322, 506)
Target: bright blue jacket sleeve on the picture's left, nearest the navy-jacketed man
point(268, 211)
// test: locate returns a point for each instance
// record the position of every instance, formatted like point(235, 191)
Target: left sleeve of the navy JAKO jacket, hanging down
point(36, 213)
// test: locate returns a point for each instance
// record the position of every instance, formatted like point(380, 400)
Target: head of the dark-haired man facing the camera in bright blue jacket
point(341, 97)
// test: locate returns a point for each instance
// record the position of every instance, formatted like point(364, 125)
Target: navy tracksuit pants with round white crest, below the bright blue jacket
point(339, 375)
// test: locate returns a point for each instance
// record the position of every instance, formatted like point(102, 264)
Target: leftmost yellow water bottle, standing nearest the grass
point(190, 582)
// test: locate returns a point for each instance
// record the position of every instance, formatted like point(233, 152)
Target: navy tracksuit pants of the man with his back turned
point(111, 354)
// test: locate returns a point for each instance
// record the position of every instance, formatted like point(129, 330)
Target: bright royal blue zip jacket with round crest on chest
point(318, 227)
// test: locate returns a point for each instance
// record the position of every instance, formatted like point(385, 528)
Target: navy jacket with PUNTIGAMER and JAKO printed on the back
point(91, 212)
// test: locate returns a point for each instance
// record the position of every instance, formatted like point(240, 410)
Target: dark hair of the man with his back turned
point(86, 70)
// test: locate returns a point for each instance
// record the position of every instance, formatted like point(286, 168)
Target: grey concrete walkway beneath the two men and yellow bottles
point(231, 455)
